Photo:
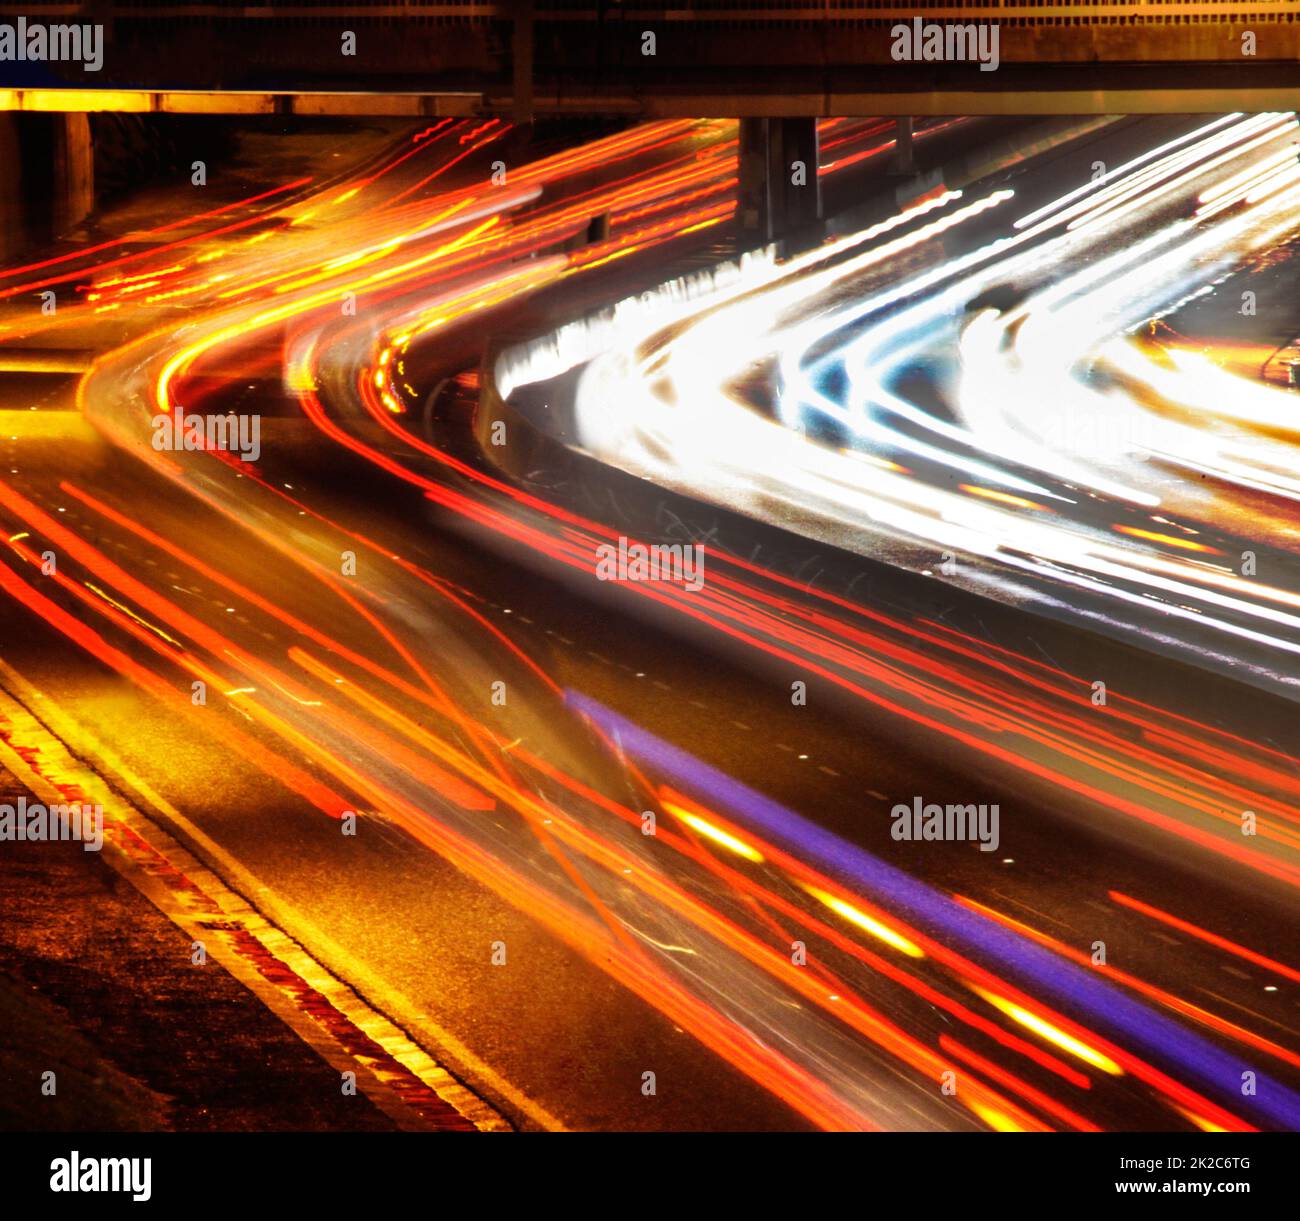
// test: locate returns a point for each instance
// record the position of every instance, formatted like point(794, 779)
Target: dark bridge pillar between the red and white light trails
point(779, 196)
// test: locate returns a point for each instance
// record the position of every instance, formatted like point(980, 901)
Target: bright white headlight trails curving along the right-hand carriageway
point(1035, 517)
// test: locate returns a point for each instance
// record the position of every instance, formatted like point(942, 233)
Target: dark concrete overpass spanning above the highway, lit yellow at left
point(700, 59)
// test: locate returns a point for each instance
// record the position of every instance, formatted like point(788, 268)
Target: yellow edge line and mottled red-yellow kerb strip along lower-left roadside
point(393, 1071)
